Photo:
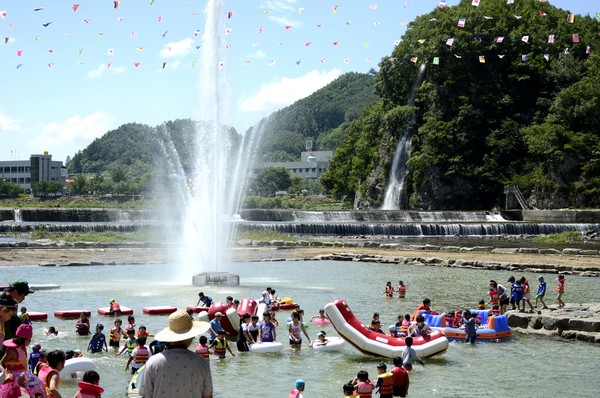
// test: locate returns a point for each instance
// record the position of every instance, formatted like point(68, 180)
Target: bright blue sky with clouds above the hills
point(93, 69)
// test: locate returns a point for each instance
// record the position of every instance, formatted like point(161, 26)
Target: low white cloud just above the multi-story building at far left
point(72, 134)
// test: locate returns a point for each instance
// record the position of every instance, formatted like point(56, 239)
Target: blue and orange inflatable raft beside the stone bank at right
point(496, 326)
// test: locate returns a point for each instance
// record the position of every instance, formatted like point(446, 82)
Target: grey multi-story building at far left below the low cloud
point(38, 168)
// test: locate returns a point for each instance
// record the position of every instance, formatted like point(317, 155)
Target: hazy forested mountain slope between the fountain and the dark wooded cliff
point(322, 117)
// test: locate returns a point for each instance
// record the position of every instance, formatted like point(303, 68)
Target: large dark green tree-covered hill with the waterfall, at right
point(504, 94)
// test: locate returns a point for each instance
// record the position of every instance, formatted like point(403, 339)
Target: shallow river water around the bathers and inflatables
point(526, 365)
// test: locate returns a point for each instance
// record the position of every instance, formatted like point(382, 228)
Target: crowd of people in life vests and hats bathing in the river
point(168, 354)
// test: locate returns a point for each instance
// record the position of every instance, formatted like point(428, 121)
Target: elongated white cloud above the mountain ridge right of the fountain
point(285, 91)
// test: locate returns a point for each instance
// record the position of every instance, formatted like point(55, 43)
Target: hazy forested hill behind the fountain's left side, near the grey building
point(136, 154)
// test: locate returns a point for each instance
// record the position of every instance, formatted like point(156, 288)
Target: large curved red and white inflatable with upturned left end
point(378, 344)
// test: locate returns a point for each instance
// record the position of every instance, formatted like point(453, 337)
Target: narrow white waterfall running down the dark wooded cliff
point(395, 189)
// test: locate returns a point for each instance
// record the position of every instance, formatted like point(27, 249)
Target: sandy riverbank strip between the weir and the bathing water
point(16, 256)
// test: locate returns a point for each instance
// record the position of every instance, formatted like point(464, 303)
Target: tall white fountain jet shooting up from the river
point(210, 189)
